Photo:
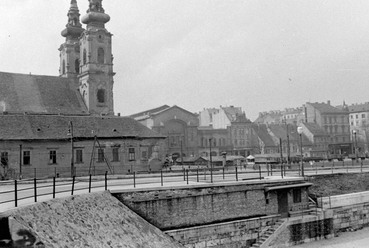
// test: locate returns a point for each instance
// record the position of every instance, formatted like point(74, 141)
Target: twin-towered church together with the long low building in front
point(65, 125)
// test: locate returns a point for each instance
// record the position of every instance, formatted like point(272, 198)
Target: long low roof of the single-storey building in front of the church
point(38, 127)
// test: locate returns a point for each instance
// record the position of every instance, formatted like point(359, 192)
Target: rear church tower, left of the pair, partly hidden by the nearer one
point(69, 50)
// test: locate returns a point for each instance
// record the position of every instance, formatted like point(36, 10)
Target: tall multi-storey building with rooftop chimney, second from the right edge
point(335, 122)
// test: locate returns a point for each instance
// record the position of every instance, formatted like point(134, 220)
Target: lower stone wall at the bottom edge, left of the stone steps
point(230, 234)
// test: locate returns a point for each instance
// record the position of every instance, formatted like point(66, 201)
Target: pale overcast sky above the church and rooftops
point(256, 54)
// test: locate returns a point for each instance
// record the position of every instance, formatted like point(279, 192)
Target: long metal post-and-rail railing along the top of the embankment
point(50, 187)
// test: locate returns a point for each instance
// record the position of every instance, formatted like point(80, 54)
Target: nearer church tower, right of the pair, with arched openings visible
point(96, 67)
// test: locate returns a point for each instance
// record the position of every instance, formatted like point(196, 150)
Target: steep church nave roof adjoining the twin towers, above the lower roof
point(40, 94)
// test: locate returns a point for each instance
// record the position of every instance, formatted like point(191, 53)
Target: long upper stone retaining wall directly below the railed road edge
point(202, 204)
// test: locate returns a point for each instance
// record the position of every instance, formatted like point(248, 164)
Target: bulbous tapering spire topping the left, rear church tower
point(74, 27)
